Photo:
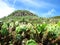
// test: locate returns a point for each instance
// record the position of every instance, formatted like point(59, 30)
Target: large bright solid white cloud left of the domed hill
point(5, 10)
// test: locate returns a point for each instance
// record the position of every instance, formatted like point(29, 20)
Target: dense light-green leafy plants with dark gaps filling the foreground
point(24, 33)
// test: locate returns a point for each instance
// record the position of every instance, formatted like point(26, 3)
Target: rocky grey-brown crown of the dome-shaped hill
point(22, 13)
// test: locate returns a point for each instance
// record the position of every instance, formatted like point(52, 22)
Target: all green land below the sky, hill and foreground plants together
point(29, 30)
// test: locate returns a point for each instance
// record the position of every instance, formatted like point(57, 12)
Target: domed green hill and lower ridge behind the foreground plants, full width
point(20, 15)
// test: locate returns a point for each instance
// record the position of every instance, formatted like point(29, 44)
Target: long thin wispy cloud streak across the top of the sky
point(34, 3)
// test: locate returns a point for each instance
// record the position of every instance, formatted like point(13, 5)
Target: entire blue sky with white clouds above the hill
point(43, 8)
